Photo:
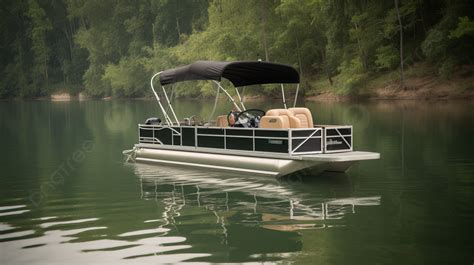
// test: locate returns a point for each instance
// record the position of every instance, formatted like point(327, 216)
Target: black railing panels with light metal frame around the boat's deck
point(321, 139)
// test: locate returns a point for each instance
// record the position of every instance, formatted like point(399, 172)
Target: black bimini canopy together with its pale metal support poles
point(239, 73)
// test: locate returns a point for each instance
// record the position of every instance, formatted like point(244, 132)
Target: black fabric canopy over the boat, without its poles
point(241, 73)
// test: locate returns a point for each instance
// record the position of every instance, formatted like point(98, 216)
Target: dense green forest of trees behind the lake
point(111, 47)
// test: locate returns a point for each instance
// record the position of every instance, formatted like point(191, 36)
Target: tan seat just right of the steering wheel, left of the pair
point(279, 119)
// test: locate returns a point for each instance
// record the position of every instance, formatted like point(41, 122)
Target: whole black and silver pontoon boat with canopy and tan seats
point(274, 142)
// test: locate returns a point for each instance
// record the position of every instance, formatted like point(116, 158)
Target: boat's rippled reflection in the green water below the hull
point(245, 218)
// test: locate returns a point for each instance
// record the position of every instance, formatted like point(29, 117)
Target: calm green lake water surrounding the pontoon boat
point(67, 197)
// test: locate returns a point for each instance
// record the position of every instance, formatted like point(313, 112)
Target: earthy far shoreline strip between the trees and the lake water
point(421, 84)
